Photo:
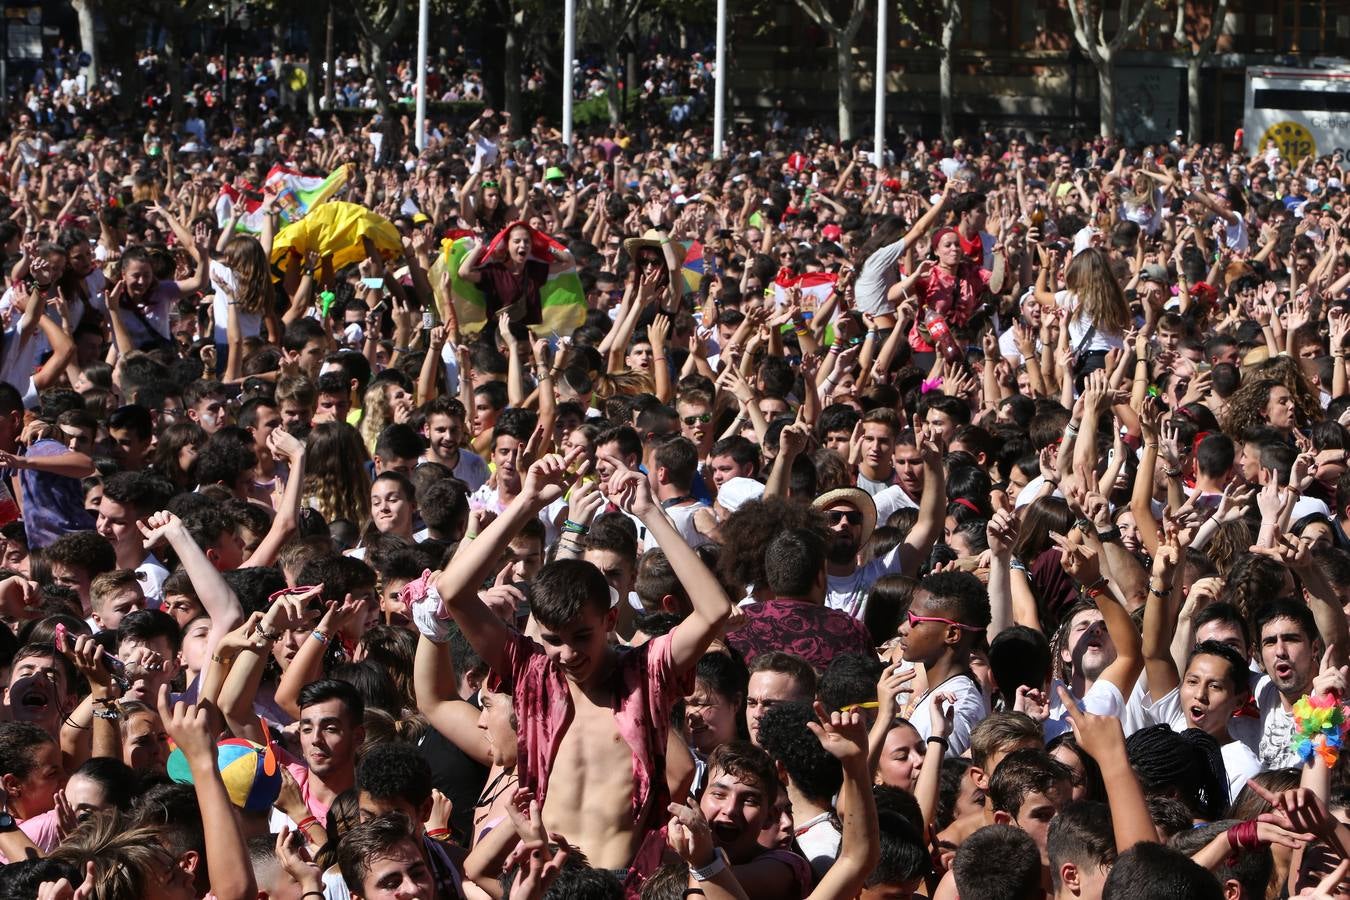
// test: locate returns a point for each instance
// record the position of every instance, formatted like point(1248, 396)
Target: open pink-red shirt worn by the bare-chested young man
point(646, 686)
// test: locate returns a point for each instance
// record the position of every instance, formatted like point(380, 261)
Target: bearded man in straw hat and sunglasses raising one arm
point(851, 517)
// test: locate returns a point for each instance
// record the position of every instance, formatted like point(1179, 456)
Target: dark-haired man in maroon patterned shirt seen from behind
point(796, 620)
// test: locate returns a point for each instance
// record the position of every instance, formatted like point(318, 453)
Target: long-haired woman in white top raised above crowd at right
point(1098, 312)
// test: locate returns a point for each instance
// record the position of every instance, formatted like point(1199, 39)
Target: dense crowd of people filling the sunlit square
point(969, 523)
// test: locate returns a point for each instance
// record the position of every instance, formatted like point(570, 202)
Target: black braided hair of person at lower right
point(1186, 764)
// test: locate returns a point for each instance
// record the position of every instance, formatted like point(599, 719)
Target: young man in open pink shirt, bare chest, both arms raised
point(596, 716)
